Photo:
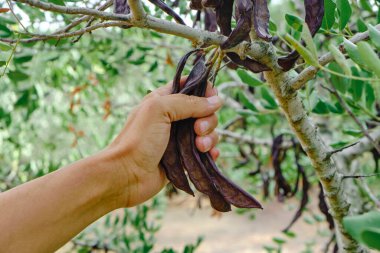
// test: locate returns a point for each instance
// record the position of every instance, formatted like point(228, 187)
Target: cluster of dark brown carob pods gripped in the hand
point(200, 167)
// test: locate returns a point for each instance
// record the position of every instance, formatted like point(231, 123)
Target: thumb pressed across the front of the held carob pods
point(180, 106)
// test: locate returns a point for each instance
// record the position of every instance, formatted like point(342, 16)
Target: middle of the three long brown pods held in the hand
point(191, 161)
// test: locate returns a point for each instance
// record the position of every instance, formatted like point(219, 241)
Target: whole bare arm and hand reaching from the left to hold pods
point(43, 214)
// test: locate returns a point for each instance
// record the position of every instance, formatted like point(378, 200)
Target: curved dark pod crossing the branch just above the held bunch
point(244, 10)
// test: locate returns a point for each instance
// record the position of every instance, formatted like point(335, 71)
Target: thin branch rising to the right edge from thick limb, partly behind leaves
point(309, 73)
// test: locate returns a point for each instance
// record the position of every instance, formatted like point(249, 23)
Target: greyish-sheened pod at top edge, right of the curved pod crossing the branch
point(261, 19)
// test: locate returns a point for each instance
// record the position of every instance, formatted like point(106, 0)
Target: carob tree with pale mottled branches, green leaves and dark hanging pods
point(247, 45)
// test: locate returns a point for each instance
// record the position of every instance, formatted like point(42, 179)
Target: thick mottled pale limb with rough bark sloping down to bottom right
point(317, 151)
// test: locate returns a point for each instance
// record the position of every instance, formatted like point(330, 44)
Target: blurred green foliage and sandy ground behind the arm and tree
point(62, 100)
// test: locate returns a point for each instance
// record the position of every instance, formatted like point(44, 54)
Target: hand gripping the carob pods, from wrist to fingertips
point(137, 151)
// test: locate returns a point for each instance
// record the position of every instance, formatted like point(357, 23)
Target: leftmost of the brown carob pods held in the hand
point(171, 161)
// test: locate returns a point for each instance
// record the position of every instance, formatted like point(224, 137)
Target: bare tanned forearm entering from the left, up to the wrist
point(42, 215)
